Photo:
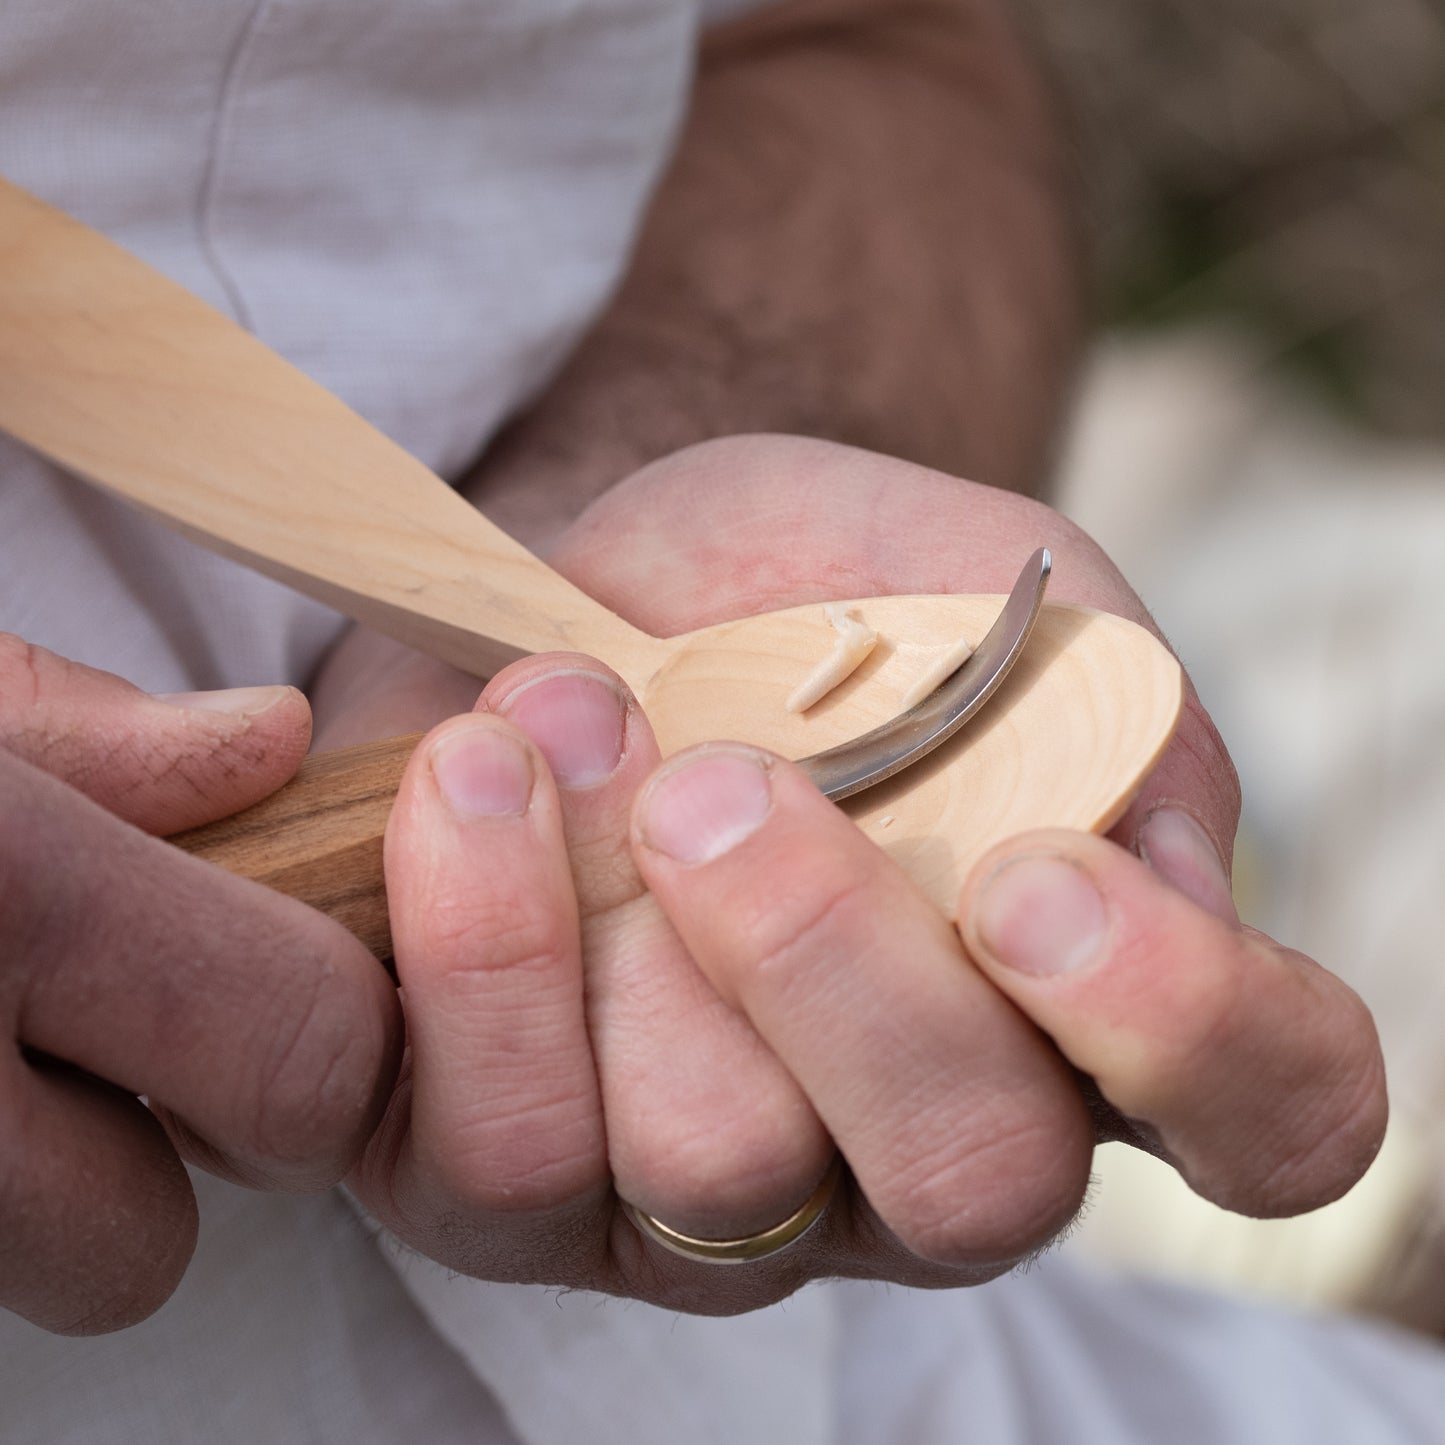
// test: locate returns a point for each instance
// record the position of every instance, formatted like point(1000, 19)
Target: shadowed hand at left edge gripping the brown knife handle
point(262, 1035)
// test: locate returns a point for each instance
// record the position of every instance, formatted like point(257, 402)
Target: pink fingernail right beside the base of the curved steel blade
point(706, 804)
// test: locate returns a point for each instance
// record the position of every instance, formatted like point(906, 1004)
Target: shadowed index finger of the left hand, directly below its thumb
point(265, 1027)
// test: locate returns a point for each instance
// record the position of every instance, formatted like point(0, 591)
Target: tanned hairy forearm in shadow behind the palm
point(866, 236)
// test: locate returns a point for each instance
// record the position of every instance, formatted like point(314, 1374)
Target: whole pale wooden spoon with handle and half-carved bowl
point(128, 379)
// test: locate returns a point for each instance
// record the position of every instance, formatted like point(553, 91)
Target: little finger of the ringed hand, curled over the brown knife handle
point(506, 1128)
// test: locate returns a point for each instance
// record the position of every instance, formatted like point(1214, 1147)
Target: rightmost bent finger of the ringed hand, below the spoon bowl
point(1258, 1070)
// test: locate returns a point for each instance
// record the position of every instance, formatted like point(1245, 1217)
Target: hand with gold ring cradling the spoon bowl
point(684, 986)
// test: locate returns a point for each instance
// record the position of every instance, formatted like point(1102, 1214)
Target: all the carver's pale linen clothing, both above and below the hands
point(423, 204)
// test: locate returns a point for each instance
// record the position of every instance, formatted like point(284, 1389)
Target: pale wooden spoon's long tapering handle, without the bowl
point(131, 381)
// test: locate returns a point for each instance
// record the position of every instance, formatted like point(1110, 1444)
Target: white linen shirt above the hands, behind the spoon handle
point(420, 203)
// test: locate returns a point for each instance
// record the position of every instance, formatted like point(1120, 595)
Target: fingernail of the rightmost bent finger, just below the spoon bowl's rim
point(1040, 915)
